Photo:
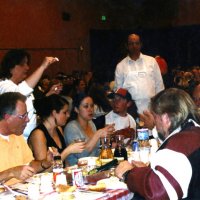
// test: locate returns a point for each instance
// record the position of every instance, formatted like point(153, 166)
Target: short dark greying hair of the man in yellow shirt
point(8, 102)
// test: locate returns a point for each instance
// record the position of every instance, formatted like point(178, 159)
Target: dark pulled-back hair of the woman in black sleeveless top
point(44, 106)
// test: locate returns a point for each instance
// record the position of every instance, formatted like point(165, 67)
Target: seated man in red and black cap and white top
point(119, 116)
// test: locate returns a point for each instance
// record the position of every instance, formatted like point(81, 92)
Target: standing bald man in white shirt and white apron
point(139, 74)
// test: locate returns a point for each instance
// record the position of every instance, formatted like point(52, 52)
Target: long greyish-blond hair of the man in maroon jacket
point(177, 104)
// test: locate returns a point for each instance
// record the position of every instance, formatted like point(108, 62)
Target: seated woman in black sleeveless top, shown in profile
point(53, 111)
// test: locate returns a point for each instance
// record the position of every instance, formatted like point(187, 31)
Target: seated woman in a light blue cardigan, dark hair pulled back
point(83, 127)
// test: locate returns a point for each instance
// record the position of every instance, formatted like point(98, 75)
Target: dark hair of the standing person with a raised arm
point(10, 60)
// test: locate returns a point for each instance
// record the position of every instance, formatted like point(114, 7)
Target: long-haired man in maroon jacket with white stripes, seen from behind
point(173, 172)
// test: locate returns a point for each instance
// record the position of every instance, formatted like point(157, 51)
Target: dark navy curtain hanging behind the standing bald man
point(179, 46)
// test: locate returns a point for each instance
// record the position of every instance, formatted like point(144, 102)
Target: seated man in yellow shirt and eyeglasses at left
point(16, 158)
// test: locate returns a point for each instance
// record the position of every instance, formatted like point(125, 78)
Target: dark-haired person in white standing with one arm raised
point(14, 78)
